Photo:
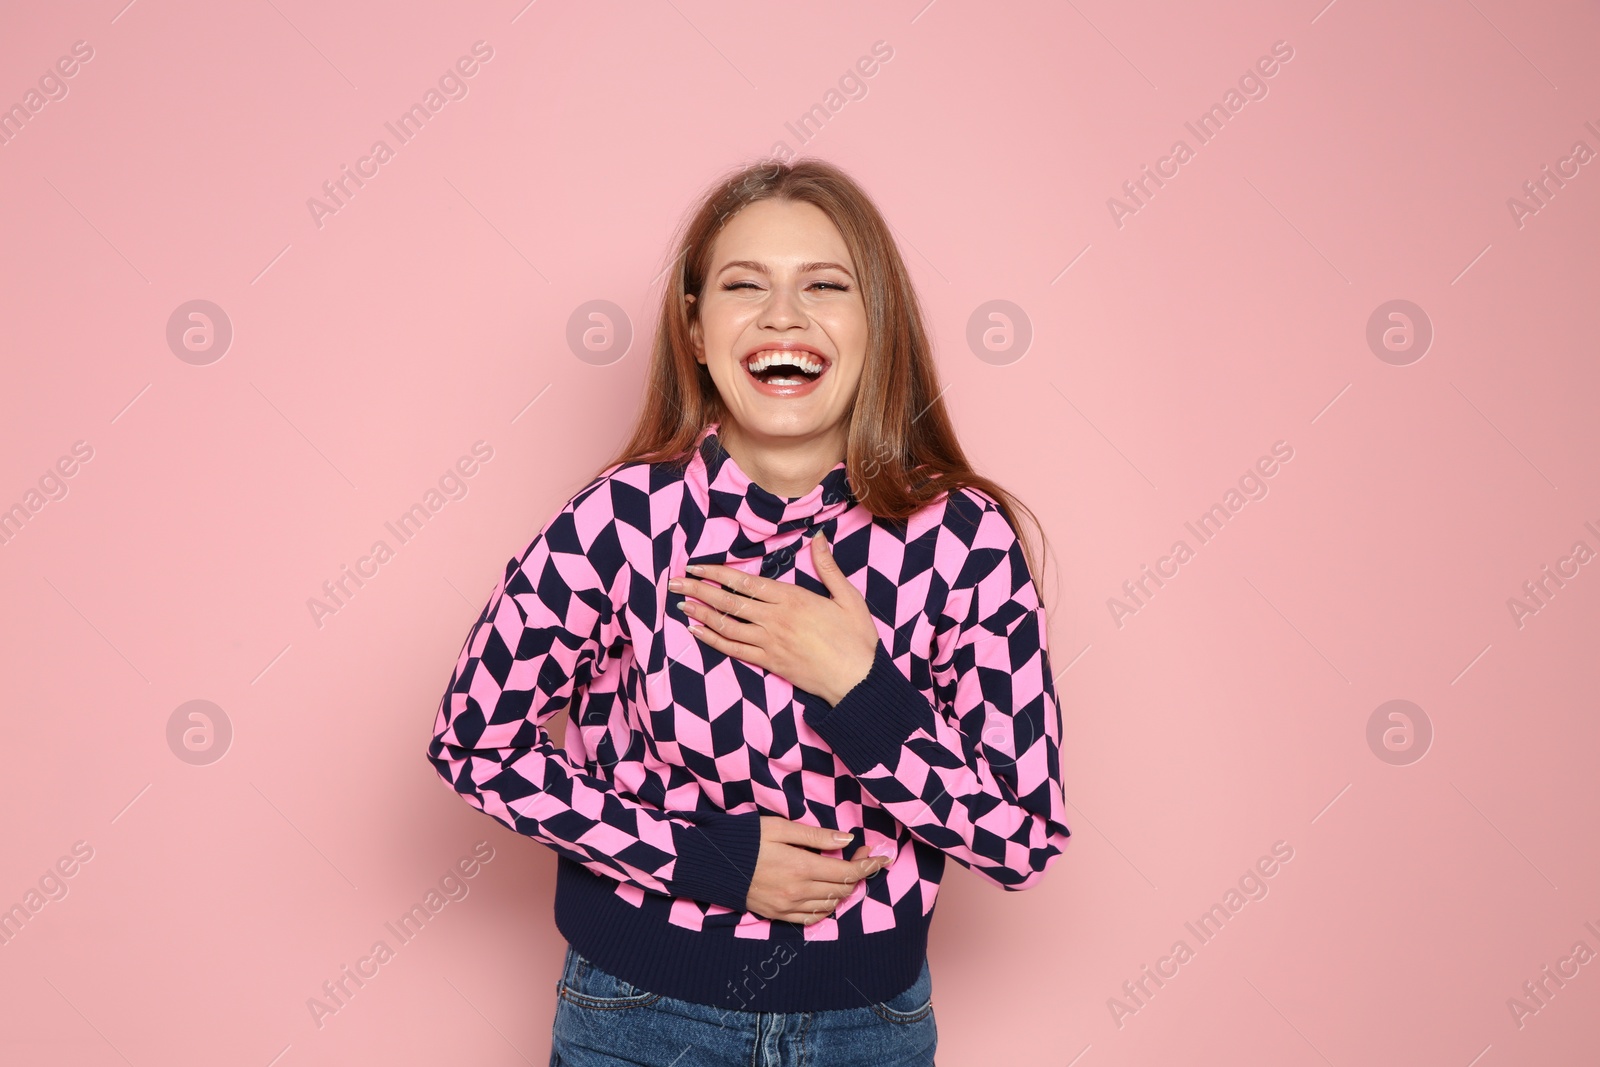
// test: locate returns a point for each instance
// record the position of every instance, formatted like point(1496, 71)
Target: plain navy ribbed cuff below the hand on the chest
point(871, 724)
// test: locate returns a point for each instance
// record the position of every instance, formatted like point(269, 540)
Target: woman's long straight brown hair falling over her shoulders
point(902, 452)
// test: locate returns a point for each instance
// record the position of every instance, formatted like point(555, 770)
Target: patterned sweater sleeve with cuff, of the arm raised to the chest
point(978, 777)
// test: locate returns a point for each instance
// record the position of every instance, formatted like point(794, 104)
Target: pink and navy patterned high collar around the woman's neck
point(743, 521)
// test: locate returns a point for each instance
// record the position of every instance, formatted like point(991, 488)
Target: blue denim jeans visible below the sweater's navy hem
point(604, 1021)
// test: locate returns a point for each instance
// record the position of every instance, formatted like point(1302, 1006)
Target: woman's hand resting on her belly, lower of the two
point(796, 885)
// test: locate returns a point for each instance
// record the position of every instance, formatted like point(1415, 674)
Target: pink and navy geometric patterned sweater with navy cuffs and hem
point(674, 751)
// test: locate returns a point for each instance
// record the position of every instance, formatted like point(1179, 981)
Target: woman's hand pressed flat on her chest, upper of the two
point(823, 645)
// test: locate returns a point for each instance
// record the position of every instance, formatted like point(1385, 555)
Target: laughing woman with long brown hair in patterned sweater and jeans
point(802, 653)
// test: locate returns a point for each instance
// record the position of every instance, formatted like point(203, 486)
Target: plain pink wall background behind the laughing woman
point(1169, 354)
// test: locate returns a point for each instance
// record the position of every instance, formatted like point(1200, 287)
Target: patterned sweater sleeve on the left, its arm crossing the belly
point(551, 628)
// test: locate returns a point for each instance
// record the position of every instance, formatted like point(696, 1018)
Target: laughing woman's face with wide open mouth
point(782, 287)
